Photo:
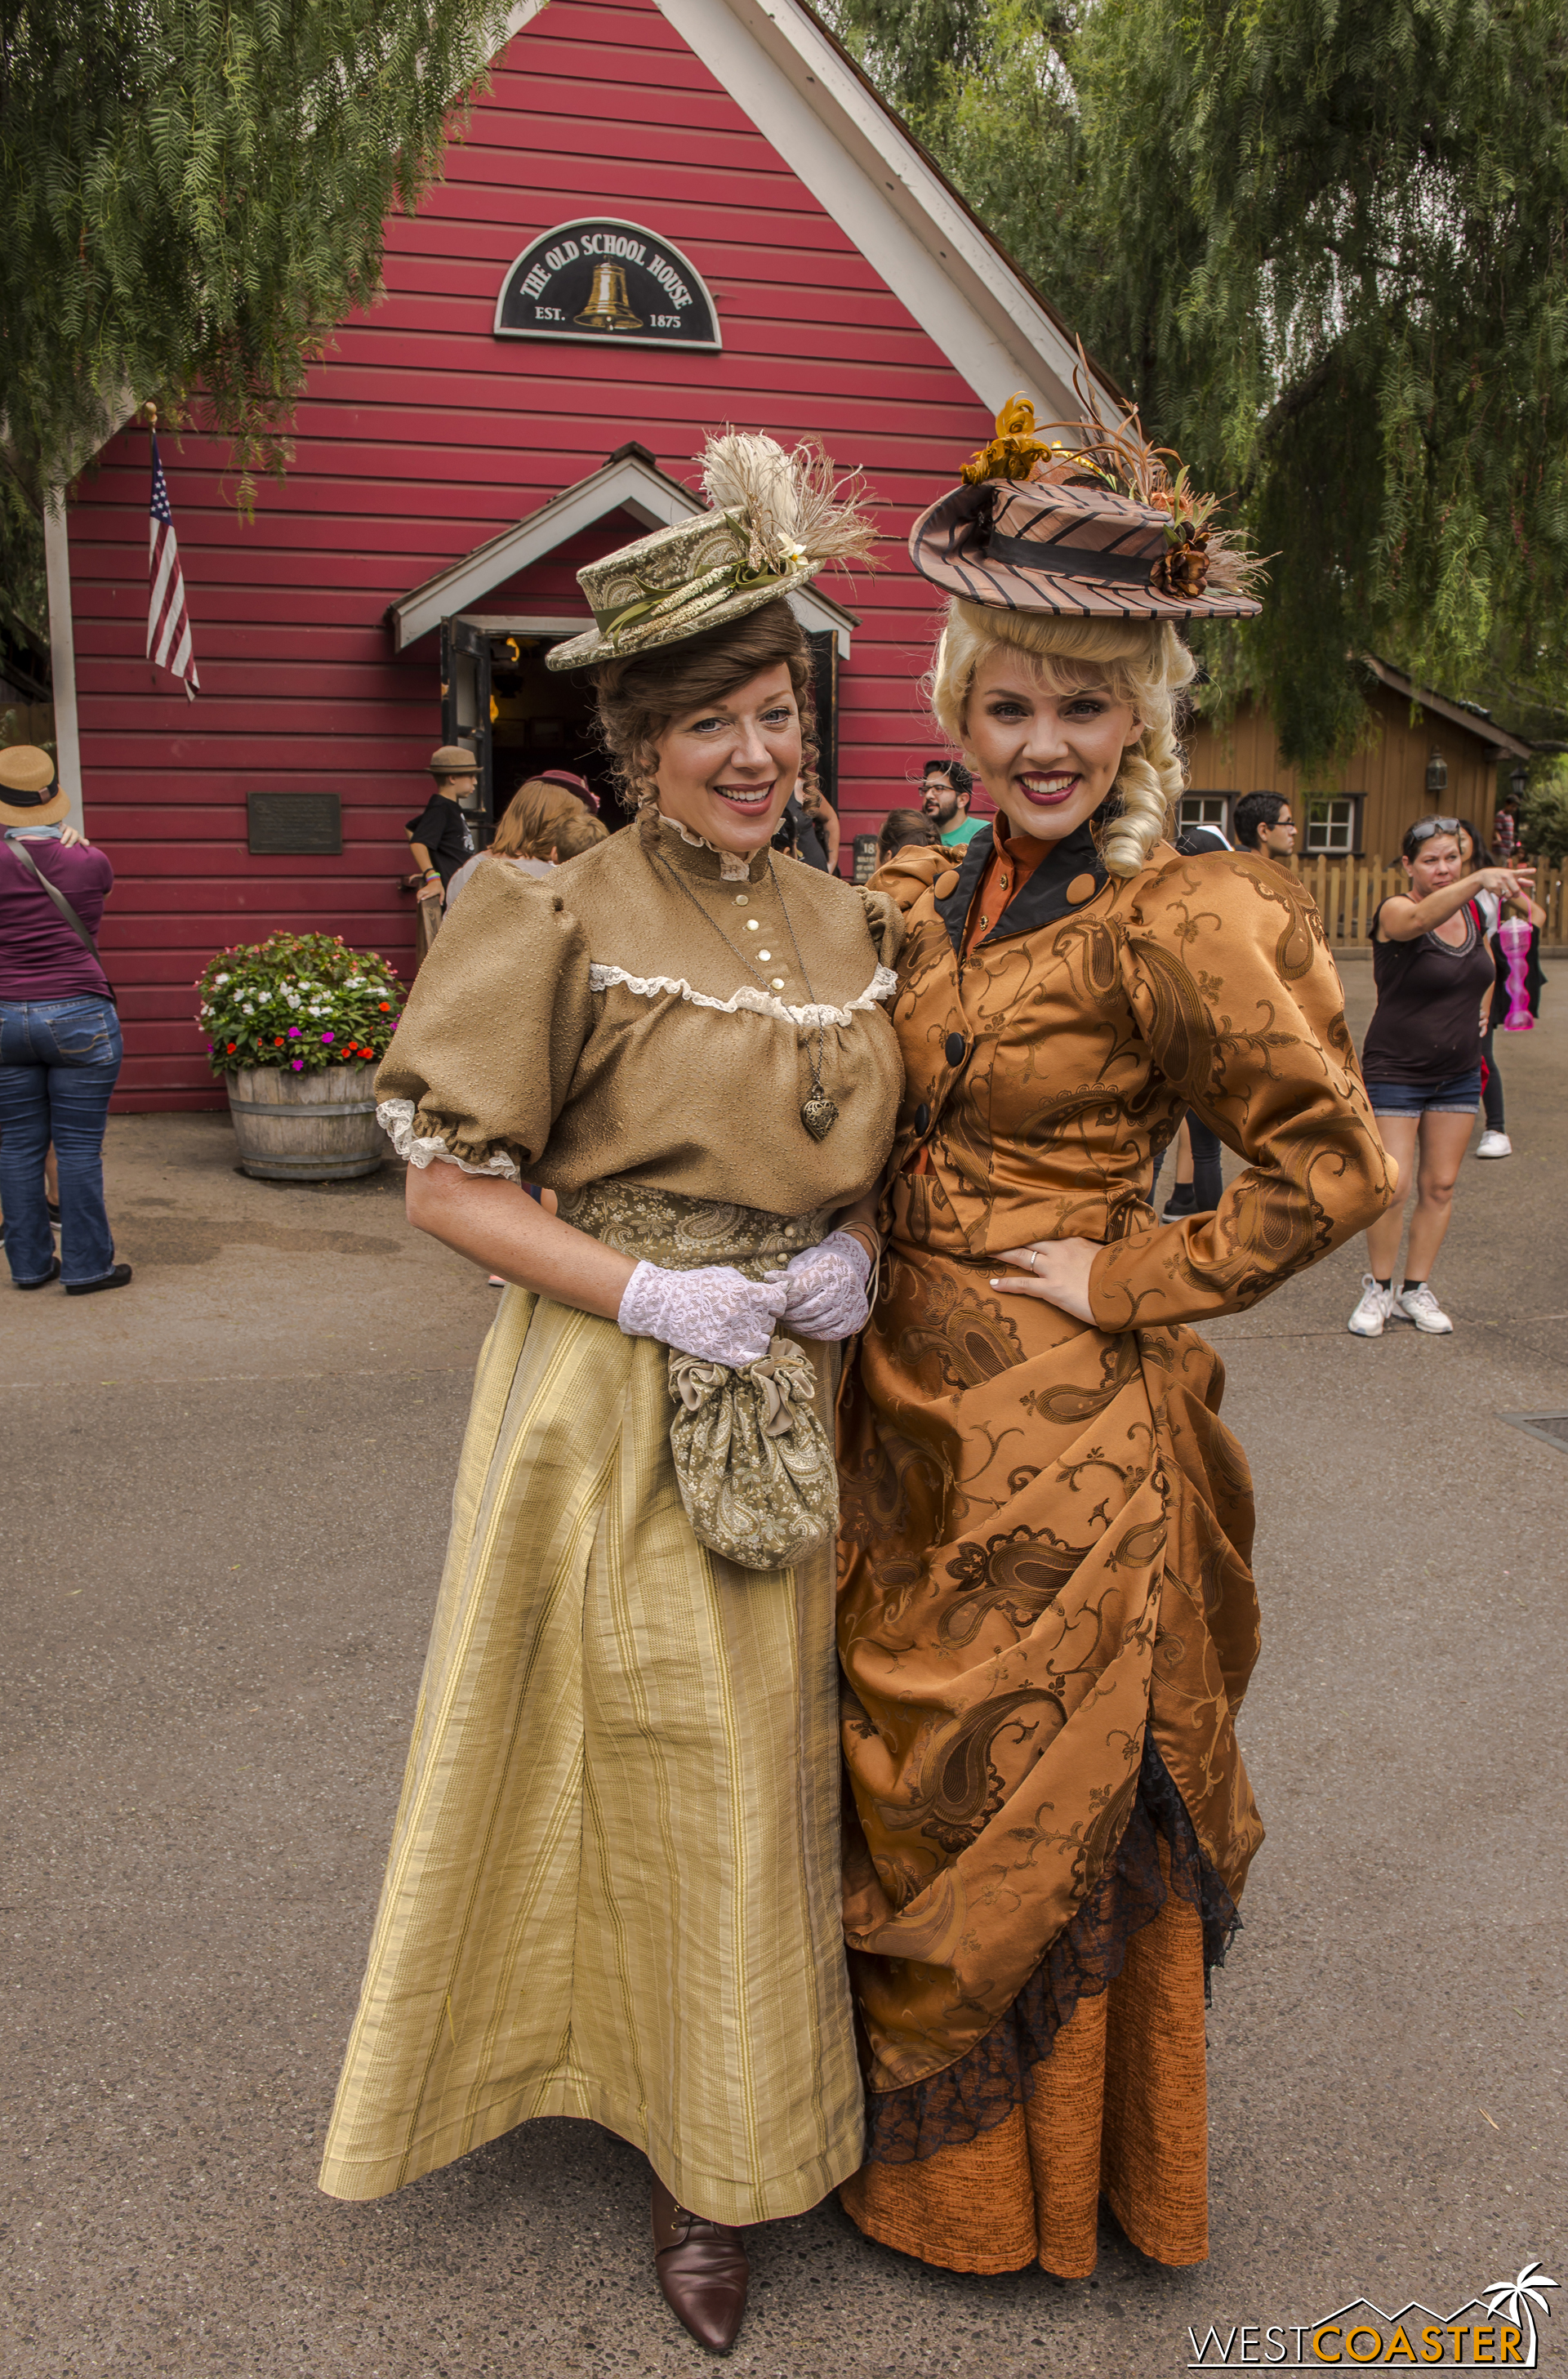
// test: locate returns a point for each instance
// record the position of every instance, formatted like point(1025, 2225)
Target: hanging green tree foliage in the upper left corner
point(194, 194)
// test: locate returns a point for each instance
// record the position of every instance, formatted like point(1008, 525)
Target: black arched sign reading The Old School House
point(603, 280)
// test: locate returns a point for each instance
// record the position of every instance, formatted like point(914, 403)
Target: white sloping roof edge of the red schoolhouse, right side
point(813, 103)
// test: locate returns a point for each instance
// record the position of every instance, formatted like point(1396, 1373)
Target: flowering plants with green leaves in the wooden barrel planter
point(299, 1000)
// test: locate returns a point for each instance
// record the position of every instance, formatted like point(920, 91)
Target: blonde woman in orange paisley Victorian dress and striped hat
point(1046, 1612)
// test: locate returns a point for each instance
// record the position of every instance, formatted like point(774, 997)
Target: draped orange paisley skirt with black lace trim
point(1046, 1626)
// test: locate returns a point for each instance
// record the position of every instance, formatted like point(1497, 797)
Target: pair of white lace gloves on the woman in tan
point(722, 1317)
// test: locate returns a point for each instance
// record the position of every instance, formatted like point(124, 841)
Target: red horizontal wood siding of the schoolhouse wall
point(420, 437)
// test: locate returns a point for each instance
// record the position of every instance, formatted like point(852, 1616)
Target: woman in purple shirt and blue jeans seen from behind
point(58, 1036)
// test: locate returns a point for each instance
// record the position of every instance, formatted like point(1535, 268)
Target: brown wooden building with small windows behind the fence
point(1424, 753)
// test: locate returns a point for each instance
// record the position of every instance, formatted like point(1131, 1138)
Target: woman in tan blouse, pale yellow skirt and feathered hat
point(615, 1871)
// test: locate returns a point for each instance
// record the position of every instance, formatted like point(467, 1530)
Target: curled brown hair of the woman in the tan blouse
point(639, 696)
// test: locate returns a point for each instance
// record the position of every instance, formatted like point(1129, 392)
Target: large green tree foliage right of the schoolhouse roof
point(1326, 251)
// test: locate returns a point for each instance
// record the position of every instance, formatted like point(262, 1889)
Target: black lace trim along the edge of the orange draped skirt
point(984, 2088)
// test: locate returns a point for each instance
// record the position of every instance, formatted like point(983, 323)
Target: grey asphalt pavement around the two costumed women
point(225, 1509)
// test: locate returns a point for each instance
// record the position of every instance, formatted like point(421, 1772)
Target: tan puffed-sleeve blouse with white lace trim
point(598, 1024)
